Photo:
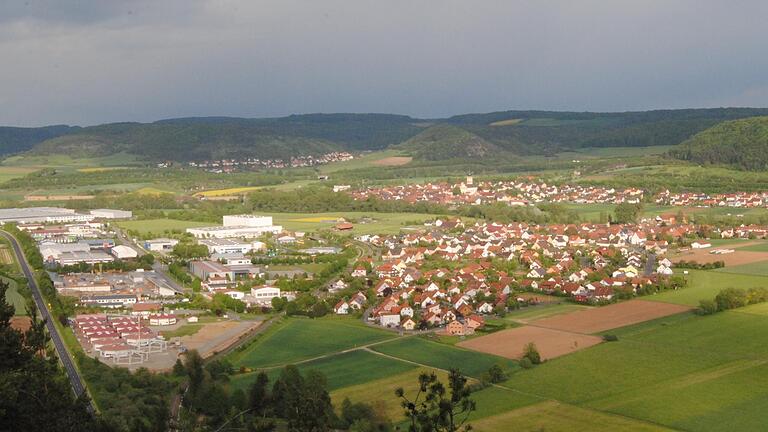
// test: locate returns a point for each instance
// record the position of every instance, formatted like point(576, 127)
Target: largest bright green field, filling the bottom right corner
point(684, 371)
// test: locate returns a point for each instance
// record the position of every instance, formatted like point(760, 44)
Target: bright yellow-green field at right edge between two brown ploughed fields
point(705, 284)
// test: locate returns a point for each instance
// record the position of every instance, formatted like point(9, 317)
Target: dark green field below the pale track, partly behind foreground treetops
point(351, 368)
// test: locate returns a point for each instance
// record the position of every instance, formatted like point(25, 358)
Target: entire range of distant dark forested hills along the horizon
point(471, 135)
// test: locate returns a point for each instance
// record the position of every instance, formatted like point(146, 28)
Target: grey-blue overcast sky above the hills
point(86, 62)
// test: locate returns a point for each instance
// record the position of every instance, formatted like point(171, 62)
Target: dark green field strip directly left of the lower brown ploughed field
point(442, 356)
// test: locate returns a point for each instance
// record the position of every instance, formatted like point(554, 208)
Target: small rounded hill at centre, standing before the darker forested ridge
point(444, 141)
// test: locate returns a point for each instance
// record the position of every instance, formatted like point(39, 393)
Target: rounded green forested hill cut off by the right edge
point(741, 143)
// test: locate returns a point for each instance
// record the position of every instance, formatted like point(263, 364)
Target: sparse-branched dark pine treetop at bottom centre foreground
point(437, 409)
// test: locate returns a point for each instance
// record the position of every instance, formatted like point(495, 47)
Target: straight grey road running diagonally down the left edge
point(42, 306)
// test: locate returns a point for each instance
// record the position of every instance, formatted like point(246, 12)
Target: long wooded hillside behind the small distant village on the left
point(218, 137)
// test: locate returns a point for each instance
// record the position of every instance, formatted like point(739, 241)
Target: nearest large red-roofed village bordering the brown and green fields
point(453, 275)
